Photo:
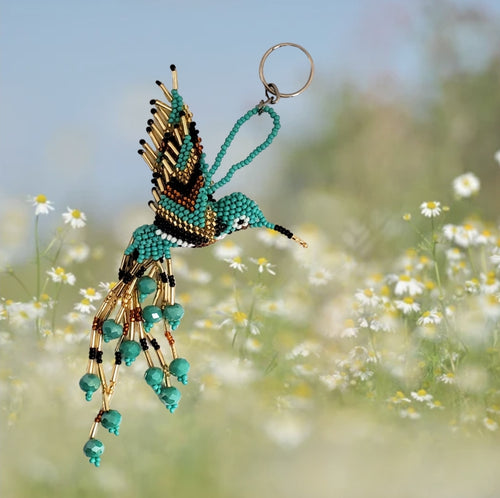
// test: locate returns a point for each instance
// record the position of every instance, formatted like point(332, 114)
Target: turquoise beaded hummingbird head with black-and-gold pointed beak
point(237, 212)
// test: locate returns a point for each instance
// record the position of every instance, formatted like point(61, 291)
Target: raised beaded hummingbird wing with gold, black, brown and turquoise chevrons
point(182, 202)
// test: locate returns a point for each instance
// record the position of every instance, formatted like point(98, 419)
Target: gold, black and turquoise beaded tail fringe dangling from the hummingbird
point(123, 318)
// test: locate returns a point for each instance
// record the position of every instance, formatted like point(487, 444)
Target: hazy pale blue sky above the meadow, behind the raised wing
point(77, 76)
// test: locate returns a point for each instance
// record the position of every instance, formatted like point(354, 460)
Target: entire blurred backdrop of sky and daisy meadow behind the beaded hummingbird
point(366, 365)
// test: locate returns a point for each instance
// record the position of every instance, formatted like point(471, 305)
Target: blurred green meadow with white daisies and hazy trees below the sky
point(367, 364)
